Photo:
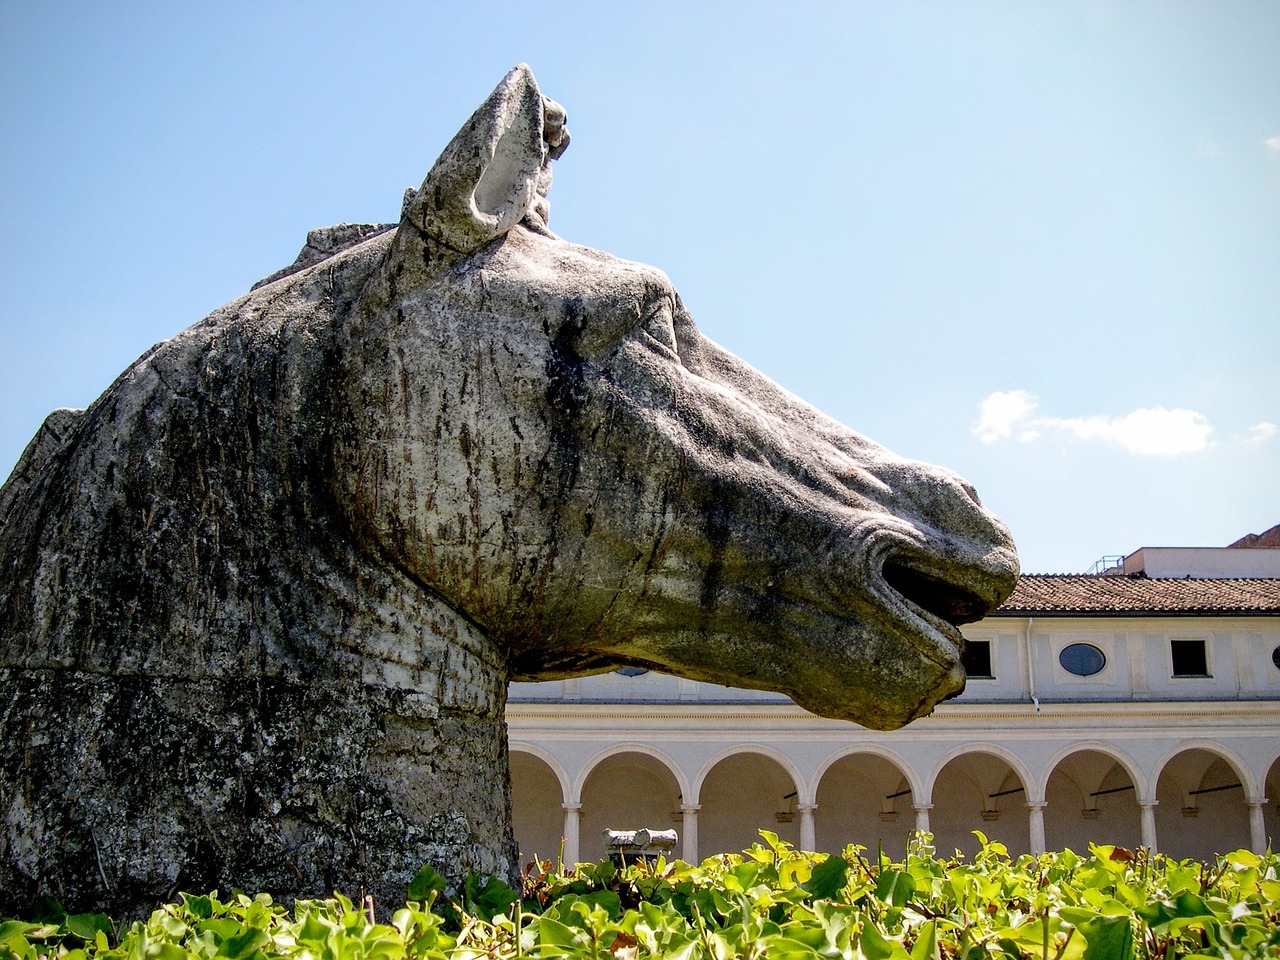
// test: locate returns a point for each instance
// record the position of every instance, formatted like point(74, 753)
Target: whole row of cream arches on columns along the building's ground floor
point(1197, 803)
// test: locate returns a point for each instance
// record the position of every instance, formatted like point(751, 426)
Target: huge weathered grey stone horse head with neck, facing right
point(260, 602)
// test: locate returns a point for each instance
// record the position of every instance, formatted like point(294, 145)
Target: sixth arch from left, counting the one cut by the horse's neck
point(1092, 793)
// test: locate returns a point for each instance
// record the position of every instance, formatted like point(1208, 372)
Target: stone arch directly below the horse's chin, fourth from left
point(866, 796)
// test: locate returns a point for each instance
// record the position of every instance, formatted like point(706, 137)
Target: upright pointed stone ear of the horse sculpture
point(487, 180)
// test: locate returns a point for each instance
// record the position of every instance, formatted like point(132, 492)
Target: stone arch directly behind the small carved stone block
point(628, 787)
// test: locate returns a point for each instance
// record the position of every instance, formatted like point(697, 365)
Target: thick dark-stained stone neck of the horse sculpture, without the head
point(344, 723)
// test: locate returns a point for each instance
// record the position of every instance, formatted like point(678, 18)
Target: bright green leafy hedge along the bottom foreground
point(770, 902)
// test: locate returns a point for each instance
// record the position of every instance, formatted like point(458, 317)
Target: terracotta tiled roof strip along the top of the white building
point(1130, 597)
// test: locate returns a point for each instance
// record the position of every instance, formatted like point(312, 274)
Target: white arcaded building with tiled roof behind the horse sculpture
point(1127, 708)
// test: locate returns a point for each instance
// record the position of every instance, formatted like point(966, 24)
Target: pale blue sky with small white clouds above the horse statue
point(1036, 244)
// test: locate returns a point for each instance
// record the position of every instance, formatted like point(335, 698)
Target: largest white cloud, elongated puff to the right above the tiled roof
point(1153, 432)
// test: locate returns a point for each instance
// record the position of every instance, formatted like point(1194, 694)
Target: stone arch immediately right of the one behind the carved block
point(744, 790)
